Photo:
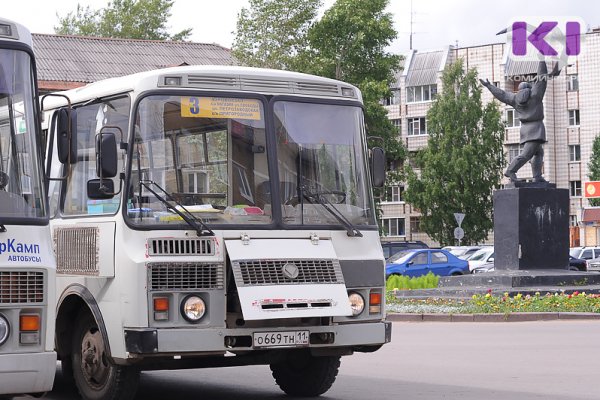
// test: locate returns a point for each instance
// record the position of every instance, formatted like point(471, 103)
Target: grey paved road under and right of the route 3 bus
point(553, 360)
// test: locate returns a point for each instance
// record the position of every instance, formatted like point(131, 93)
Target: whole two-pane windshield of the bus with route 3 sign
point(208, 156)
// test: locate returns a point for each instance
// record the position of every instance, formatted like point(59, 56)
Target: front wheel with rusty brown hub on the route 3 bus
point(96, 377)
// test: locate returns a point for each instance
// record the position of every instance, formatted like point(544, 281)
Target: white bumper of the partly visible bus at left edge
point(23, 373)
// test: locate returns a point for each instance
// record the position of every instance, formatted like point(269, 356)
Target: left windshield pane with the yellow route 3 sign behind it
point(209, 156)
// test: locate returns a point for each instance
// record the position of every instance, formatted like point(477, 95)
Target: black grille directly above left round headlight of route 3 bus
point(185, 276)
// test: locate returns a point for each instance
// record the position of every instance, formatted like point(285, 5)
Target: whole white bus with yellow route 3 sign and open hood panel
point(216, 216)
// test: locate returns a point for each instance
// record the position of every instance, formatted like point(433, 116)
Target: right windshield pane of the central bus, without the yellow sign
point(320, 158)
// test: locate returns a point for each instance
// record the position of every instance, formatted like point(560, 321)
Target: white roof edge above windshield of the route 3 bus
point(216, 78)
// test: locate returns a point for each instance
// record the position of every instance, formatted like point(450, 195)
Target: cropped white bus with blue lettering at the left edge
point(27, 266)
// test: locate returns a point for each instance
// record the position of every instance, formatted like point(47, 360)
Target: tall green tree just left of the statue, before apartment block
point(461, 164)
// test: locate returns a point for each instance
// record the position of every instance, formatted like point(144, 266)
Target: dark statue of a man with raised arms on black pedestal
point(528, 105)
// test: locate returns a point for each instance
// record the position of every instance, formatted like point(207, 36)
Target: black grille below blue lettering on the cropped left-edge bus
point(21, 287)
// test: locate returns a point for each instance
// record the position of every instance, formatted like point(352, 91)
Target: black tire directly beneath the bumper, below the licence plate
point(303, 375)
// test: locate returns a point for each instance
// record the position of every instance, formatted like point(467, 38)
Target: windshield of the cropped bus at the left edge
point(20, 177)
